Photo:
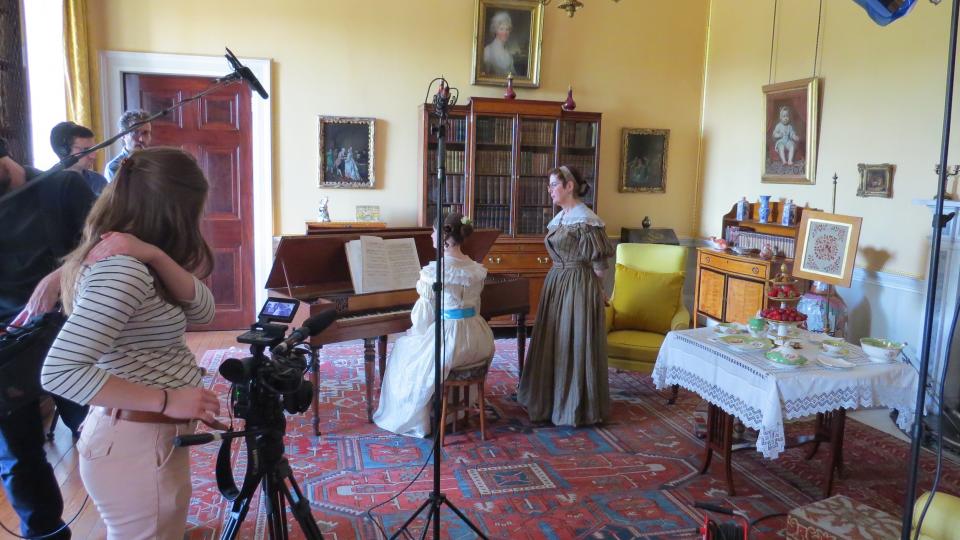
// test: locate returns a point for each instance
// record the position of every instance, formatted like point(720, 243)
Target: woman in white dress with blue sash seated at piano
point(408, 386)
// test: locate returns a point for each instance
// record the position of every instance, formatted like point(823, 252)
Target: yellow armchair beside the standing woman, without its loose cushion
point(637, 350)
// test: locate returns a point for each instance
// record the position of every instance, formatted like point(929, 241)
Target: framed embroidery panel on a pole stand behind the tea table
point(827, 247)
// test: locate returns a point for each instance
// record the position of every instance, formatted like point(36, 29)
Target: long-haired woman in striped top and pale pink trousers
point(130, 291)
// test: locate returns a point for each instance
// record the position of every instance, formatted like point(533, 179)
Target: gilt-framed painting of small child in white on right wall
point(790, 122)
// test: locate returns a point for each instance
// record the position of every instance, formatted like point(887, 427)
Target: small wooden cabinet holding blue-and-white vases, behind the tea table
point(733, 284)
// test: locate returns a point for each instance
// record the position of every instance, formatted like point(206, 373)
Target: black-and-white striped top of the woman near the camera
point(121, 327)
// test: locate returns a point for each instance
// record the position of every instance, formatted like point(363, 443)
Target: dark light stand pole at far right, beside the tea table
point(938, 221)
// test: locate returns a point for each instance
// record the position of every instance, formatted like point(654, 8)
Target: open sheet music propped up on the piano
point(378, 265)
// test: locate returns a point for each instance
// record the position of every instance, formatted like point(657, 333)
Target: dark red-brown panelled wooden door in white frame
point(216, 129)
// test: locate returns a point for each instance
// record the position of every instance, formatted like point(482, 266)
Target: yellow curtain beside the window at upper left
point(77, 62)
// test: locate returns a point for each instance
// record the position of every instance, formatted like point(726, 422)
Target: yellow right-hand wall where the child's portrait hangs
point(882, 102)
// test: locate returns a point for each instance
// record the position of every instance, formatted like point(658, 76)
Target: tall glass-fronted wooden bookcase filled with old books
point(502, 160)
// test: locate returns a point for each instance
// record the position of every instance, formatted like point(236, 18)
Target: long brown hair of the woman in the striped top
point(158, 196)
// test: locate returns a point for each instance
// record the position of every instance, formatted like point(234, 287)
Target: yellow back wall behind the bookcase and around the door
point(639, 63)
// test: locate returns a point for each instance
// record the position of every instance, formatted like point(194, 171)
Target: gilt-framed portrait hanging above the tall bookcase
point(507, 37)
